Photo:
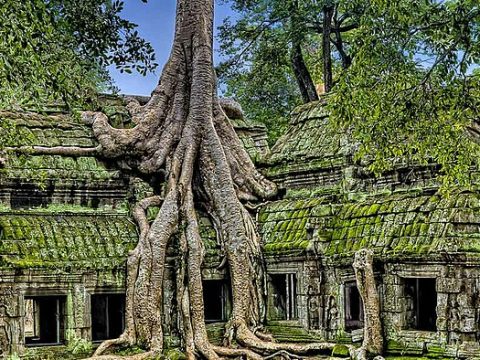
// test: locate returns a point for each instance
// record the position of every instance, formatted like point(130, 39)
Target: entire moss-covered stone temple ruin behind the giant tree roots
point(65, 232)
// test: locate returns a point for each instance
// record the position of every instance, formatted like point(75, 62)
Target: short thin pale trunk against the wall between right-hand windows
point(372, 338)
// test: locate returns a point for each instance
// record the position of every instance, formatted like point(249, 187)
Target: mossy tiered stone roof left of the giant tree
point(58, 211)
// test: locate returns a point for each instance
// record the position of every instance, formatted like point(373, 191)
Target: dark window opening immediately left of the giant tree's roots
point(108, 316)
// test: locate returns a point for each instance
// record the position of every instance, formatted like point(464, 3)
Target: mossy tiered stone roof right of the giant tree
point(333, 206)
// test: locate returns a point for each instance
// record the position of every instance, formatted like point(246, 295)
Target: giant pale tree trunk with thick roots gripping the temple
point(183, 133)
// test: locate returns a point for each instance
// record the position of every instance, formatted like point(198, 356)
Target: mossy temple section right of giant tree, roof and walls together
point(426, 245)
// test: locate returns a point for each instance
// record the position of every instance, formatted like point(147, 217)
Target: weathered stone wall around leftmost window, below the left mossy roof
point(74, 288)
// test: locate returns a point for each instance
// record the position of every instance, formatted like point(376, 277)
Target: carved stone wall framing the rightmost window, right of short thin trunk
point(457, 310)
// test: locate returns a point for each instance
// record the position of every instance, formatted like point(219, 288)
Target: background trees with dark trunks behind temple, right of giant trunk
point(275, 56)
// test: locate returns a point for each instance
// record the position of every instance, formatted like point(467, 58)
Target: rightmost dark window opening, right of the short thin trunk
point(421, 303)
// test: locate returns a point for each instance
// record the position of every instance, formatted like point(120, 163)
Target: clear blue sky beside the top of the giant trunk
point(155, 21)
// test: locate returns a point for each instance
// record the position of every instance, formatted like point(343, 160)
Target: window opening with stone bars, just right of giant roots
point(283, 300)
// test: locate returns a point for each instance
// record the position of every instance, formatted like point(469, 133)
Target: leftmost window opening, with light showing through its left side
point(44, 320)
